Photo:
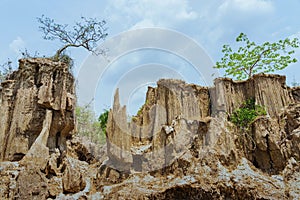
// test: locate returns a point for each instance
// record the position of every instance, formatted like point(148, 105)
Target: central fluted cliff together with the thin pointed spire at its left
point(159, 125)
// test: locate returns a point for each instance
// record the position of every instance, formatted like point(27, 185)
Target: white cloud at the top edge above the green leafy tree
point(224, 20)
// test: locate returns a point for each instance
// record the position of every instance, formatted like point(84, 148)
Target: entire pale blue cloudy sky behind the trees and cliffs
point(148, 40)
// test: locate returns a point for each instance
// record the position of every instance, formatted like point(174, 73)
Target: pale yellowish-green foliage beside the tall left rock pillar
point(88, 126)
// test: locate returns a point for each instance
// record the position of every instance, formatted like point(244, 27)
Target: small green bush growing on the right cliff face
point(247, 113)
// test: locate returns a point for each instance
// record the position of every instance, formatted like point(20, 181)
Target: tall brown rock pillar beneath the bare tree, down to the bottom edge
point(37, 116)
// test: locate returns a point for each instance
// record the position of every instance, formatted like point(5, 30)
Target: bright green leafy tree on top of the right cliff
point(251, 58)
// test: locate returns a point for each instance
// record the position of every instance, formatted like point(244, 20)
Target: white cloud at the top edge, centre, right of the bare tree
point(147, 13)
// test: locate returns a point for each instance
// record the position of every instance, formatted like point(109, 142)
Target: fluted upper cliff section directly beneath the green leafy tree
point(268, 90)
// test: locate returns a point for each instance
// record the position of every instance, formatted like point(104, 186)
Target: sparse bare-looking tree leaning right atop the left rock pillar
point(85, 33)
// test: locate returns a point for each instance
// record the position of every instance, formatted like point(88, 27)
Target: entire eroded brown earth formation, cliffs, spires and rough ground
point(181, 144)
